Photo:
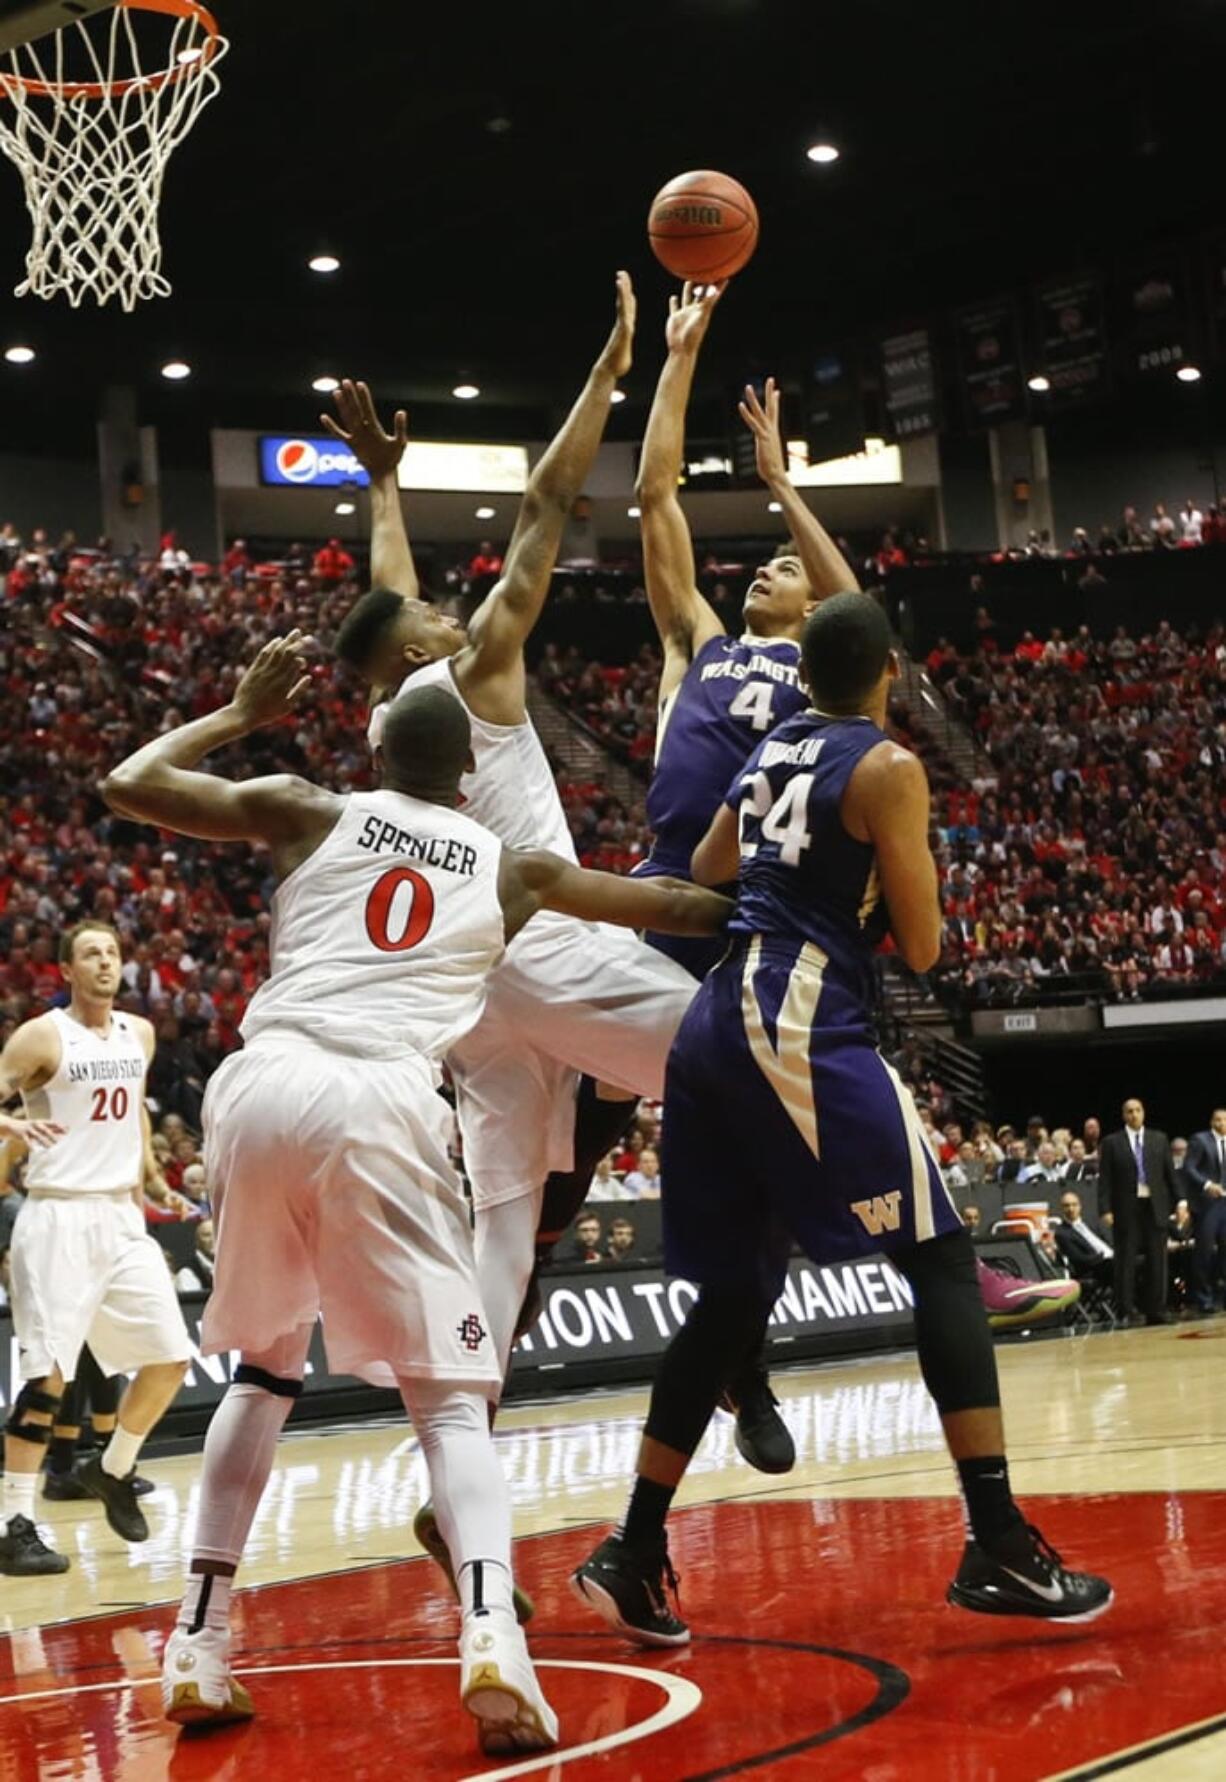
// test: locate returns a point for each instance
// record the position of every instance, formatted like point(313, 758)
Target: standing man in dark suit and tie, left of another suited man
point(1138, 1184)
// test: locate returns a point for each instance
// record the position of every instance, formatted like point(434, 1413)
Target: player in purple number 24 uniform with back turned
point(787, 1124)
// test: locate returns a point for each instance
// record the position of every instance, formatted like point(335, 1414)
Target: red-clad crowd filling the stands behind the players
point(1088, 854)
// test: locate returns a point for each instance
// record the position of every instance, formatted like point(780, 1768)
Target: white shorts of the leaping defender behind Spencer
point(569, 997)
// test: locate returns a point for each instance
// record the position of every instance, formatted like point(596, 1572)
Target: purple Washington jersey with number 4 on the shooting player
point(735, 692)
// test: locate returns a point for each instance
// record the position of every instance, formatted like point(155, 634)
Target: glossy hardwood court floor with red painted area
point(817, 1601)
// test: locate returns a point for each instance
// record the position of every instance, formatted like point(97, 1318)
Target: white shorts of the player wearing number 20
point(85, 1271)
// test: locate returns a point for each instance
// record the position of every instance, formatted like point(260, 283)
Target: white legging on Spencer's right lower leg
point(468, 1485)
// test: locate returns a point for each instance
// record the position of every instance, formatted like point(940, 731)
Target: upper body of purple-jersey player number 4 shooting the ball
point(719, 696)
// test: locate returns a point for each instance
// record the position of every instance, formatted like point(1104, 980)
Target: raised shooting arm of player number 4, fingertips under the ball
point(683, 619)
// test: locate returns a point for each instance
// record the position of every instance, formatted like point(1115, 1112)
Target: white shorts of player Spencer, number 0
point(334, 1197)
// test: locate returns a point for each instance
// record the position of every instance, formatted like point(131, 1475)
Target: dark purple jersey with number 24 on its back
point(803, 876)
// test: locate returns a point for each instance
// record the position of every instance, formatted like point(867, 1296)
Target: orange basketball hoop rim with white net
point(92, 133)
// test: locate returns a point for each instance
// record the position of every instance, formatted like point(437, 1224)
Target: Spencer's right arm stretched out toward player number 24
point(532, 881)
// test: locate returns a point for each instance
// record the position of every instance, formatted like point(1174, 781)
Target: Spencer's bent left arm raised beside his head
point(159, 783)
